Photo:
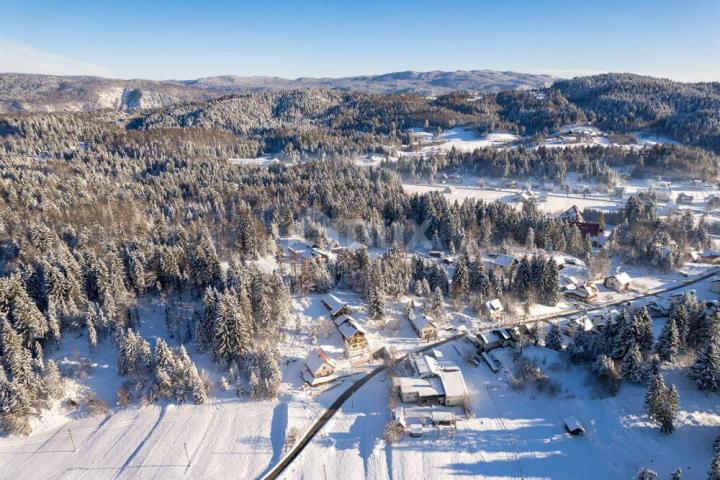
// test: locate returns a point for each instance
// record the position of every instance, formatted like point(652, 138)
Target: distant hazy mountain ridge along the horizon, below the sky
point(29, 92)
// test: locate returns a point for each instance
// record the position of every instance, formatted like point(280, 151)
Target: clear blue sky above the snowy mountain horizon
point(182, 39)
